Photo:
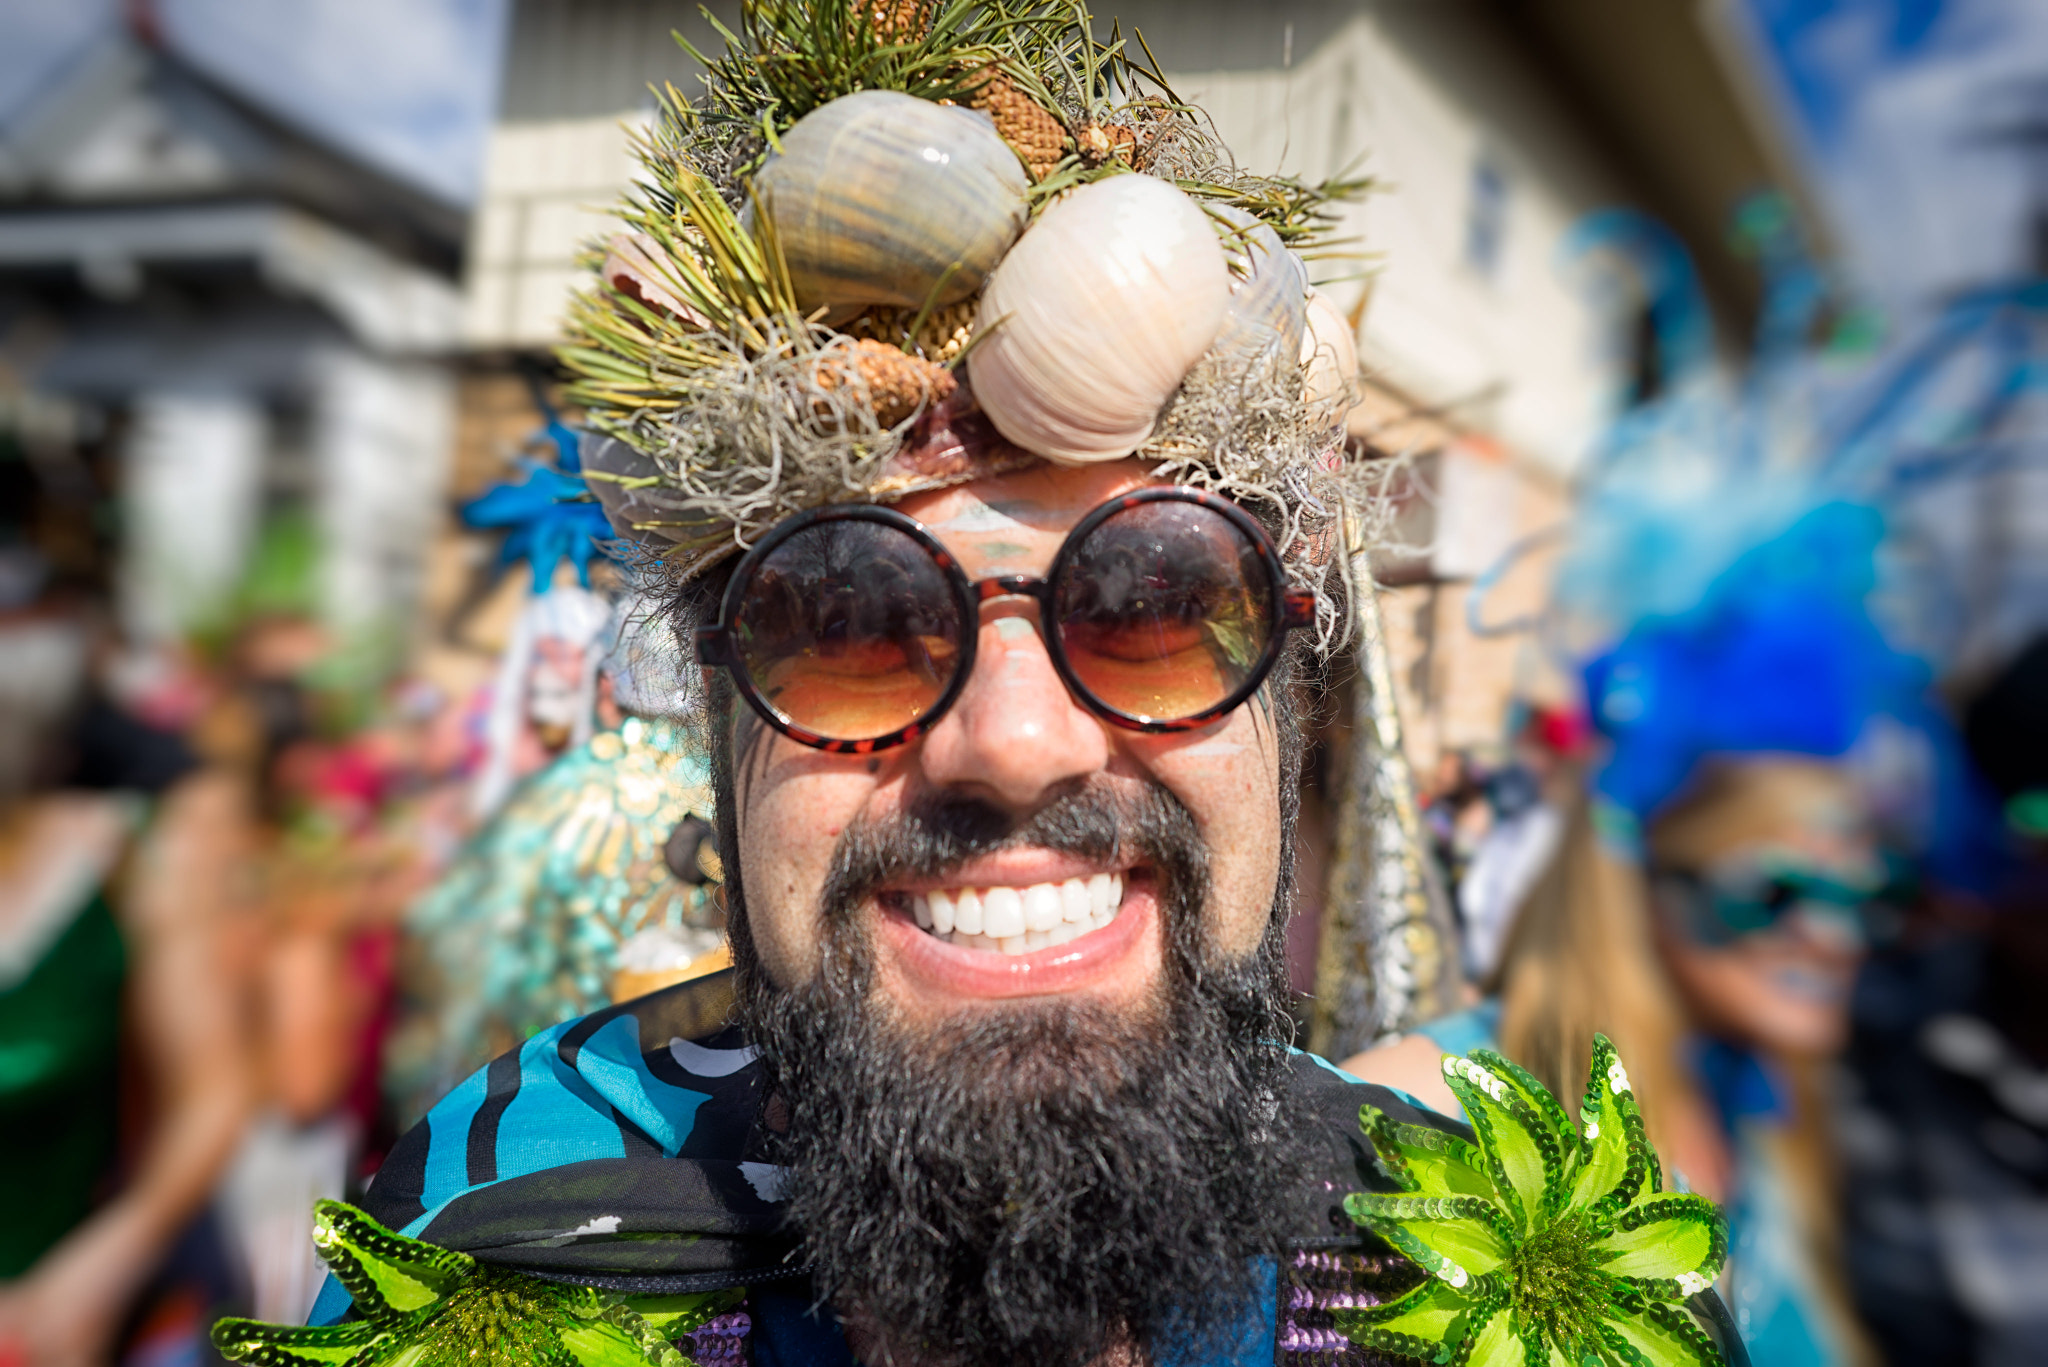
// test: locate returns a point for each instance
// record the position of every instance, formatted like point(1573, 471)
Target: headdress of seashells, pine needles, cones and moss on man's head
point(898, 245)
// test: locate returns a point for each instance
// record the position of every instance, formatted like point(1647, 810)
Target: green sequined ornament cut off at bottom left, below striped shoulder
point(427, 1307)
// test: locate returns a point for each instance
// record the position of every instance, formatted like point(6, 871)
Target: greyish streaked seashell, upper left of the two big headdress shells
point(880, 194)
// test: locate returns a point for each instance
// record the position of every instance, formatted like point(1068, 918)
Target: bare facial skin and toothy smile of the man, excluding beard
point(1027, 921)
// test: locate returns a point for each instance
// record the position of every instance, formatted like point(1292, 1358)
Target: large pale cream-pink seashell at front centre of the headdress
point(1095, 317)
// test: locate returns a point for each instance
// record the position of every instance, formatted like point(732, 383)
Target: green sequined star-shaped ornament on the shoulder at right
point(1545, 1245)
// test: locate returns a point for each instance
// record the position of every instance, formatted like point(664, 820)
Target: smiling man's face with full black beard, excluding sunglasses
point(1056, 1128)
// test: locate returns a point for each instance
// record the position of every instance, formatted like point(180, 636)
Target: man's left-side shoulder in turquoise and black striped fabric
point(620, 1143)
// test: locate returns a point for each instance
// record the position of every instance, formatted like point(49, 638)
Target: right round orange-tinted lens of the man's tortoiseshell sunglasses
point(1164, 612)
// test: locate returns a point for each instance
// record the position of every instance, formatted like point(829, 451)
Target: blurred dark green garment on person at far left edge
point(60, 1034)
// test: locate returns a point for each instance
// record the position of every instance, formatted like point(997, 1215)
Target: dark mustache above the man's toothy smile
point(941, 831)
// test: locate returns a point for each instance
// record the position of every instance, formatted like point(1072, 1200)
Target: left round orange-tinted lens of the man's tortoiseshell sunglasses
point(849, 630)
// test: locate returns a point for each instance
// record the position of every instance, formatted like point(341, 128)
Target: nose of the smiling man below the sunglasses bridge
point(1015, 735)
